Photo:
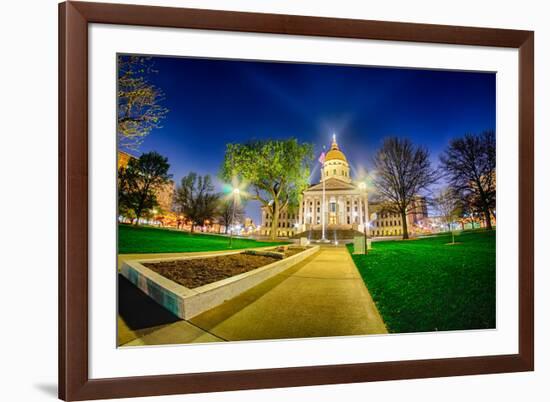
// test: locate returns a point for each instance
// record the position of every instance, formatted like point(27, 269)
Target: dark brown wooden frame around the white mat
point(74, 381)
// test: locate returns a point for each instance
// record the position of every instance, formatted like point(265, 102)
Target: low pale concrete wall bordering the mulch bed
point(187, 303)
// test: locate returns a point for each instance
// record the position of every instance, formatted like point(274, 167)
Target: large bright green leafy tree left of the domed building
point(276, 172)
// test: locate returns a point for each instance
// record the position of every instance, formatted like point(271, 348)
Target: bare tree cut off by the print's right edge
point(469, 163)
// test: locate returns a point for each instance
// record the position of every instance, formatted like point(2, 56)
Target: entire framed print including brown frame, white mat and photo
point(259, 200)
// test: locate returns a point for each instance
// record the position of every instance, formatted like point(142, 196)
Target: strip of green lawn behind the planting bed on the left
point(135, 240)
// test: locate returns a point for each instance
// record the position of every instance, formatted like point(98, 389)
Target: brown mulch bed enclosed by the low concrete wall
point(197, 272)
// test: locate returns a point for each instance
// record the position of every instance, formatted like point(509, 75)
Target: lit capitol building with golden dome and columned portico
point(347, 208)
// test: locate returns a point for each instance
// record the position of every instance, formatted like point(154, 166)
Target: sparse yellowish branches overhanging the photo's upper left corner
point(139, 101)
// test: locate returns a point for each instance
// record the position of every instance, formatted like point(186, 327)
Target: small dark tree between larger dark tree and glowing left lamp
point(196, 199)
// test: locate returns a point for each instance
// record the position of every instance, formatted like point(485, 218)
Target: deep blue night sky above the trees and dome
point(213, 102)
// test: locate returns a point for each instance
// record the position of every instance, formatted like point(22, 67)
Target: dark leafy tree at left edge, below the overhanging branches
point(139, 182)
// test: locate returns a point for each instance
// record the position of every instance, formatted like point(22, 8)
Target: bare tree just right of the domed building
point(402, 171)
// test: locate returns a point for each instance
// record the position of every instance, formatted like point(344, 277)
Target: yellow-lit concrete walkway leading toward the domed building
point(322, 296)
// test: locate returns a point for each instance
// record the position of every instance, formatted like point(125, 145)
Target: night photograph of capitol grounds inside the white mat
point(268, 200)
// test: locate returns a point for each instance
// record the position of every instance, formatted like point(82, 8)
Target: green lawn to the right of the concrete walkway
point(427, 285)
